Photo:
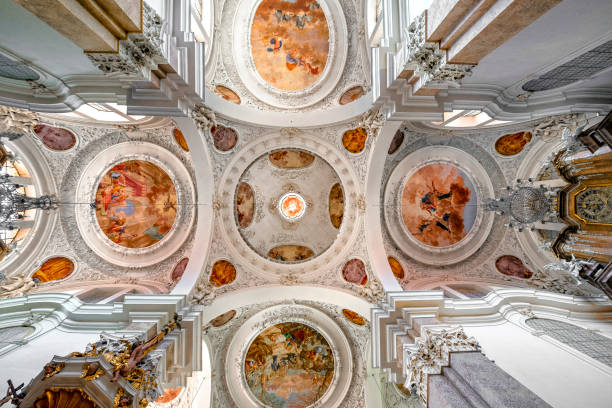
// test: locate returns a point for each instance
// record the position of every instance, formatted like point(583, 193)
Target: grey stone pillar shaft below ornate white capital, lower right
point(472, 380)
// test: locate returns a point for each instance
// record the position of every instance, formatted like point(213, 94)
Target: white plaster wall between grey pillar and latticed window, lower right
point(559, 377)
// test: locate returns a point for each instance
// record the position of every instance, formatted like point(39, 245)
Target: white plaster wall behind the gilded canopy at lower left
point(23, 363)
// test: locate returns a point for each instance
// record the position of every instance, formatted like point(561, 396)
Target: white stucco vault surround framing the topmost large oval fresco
point(346, 41)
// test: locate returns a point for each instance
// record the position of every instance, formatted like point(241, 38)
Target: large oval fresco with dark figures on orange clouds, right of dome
point(439, 205)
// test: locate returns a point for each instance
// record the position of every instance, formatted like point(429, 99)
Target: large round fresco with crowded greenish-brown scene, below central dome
point(289, 365)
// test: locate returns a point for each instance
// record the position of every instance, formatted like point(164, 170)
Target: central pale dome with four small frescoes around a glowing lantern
point(282, 205)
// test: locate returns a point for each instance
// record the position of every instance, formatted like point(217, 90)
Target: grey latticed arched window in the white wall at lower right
point(585, 341)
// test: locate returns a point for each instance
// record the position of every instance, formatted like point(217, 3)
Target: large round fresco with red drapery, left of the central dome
point(136, 204)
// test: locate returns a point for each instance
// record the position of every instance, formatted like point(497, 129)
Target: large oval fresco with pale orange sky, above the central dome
point(289, 43)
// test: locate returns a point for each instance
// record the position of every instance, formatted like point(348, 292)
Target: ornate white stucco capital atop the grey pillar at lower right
point(432, 353)
